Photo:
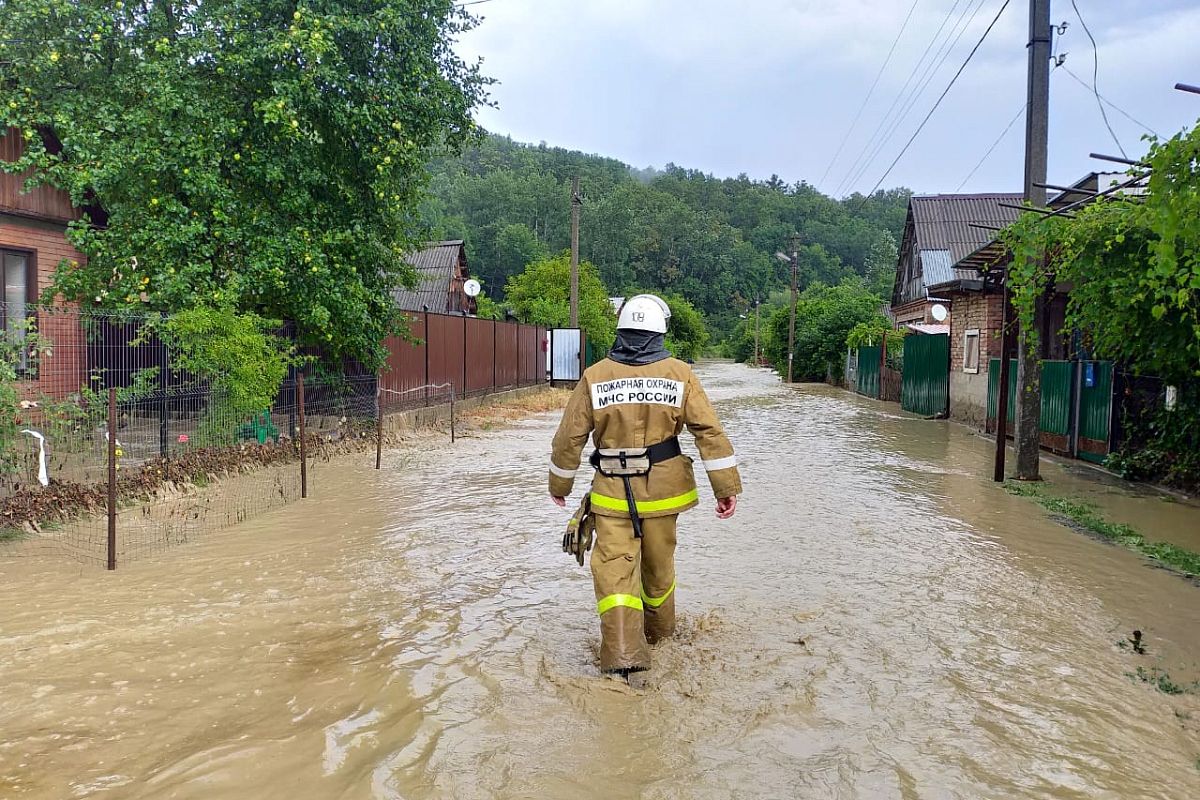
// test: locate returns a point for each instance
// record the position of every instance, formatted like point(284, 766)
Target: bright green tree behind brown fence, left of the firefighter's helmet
point(542, 296)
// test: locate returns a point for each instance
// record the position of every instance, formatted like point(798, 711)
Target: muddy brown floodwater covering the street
point(878, 622)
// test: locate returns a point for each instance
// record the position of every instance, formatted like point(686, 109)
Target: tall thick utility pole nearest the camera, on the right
point(1029, 359)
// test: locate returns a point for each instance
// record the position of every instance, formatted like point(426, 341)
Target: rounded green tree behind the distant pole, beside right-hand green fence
point(825, 316)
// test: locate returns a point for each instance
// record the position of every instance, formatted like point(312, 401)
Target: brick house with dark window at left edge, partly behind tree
point(33, 243)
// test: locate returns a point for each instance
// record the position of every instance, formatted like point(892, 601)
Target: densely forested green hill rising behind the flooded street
point(712, 240)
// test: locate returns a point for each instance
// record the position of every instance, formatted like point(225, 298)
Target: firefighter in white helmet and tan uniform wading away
point(634, 405)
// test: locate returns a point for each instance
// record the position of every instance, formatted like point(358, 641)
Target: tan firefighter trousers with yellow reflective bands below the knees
point(635, 584)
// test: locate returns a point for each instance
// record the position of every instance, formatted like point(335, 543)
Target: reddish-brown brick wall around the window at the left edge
point(61, 374)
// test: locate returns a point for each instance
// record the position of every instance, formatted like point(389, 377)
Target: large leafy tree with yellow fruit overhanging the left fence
point(260, 155)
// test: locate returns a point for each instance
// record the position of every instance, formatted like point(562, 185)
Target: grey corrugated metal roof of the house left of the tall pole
point(950, 222)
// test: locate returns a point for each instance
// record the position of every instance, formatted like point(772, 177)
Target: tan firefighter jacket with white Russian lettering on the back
point(625, 406)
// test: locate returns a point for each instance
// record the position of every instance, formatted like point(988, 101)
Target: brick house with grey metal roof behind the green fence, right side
point(943, 232)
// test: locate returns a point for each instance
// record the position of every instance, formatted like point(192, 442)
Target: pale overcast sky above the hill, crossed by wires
point(766, 87)
